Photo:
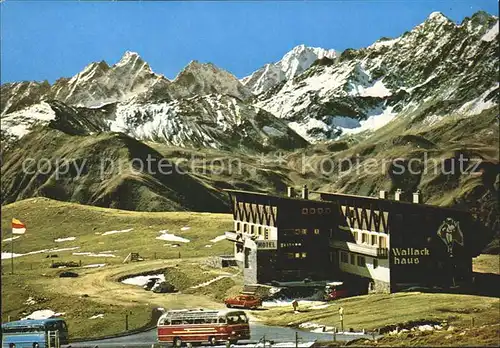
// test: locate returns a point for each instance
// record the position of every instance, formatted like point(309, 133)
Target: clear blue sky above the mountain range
point(45, 40)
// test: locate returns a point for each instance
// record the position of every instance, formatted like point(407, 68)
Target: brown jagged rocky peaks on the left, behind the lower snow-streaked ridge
point(129, 79)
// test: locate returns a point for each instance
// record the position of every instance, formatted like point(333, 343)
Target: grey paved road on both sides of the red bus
point(274, 333)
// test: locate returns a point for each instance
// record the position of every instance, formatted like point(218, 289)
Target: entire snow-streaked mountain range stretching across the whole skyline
point(436, 69)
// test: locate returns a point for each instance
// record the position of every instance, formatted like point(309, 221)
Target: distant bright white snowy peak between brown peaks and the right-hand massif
point(298, 60)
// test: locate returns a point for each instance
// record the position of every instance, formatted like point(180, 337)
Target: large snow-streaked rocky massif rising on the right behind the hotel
point(438, 68)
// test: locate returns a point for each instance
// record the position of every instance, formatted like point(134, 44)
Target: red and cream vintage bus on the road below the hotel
point(199, 326)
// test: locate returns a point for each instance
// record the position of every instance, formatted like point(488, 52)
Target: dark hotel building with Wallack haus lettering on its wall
point(388, 244)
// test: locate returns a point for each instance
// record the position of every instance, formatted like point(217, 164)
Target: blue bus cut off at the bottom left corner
point(35, 333)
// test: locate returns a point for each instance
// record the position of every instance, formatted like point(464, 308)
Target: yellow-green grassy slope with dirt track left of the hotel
point(96, 290)
